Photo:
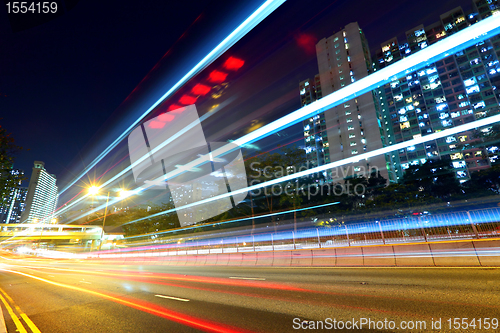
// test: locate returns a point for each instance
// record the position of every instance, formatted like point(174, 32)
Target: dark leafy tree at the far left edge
point(8, 179)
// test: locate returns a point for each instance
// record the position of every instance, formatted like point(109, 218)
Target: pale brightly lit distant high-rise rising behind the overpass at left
point(42, 196)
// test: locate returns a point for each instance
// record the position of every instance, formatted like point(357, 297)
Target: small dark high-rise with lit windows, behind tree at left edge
point(13, 203)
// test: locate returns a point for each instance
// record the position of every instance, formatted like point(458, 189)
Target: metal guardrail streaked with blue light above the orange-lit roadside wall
point(473, 224)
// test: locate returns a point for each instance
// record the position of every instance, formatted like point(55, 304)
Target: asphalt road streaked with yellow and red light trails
point(70, 296)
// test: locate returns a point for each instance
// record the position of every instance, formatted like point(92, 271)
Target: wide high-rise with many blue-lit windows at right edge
point(454, 91)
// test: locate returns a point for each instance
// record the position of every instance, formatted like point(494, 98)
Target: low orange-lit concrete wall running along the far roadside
point(440, 254)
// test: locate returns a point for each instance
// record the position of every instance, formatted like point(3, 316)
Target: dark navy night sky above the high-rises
point(71, 86)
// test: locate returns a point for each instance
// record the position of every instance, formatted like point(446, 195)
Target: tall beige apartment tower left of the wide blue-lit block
point(354, 126)
